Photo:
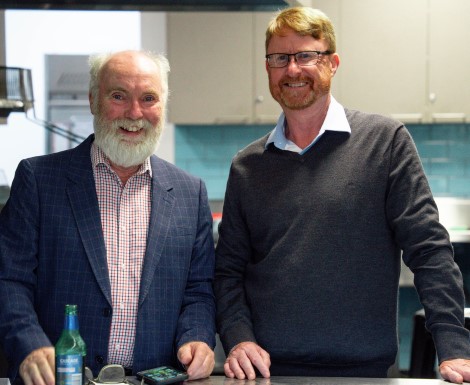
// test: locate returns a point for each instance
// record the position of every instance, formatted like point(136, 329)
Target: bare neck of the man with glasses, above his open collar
point(304, 126)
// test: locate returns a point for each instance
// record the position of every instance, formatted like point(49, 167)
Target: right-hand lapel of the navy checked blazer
point(160, 219)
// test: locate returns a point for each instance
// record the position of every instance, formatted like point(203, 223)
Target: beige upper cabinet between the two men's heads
point(218, 74)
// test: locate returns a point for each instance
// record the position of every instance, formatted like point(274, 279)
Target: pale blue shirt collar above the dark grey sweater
point(335, 120)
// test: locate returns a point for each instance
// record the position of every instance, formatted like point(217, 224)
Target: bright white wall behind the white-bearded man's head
point(30, 35)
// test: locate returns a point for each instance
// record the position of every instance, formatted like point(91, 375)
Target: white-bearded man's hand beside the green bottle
point(38, 367)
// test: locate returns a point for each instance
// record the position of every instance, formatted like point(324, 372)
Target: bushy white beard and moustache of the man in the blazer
point(123, 152)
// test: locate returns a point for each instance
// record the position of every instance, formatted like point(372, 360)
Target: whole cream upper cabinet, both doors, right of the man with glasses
point(407, 59)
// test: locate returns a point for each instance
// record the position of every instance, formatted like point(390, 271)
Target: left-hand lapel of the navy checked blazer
point(82, 194)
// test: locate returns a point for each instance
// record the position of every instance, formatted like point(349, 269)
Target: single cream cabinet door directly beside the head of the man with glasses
point(382, 47)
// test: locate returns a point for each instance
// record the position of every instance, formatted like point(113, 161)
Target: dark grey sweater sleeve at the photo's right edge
point(427, 250)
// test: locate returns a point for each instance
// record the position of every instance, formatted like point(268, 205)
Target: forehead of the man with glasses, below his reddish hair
point(289, 41)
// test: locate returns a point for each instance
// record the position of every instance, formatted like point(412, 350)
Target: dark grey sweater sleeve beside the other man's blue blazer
point(232, 256)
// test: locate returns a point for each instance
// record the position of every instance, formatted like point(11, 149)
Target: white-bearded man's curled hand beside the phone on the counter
point(198, 358)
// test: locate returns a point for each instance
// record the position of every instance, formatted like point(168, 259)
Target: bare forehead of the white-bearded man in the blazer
point(131, 72)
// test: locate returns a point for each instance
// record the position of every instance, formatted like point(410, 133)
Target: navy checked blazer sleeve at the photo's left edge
point(20, 332)
